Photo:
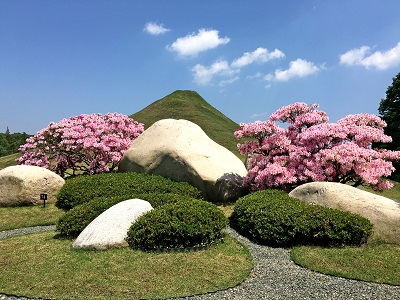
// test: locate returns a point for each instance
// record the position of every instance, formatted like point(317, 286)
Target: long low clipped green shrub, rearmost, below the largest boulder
point(84, 188)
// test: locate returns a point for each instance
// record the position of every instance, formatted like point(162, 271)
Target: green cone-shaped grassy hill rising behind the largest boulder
point(189, 105)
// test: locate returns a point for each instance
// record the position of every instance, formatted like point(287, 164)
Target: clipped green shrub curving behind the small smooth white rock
point(74, 221)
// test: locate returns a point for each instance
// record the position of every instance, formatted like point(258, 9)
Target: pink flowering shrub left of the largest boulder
point(85, 144)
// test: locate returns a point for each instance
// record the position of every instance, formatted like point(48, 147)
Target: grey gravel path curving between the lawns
point(275, 277)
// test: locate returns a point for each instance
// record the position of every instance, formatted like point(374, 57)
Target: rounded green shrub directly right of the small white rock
point(182, 224)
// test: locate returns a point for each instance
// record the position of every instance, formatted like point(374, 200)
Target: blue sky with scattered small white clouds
point(246, 58)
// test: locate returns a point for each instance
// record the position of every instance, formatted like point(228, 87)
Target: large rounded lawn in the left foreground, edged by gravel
point(50, 268)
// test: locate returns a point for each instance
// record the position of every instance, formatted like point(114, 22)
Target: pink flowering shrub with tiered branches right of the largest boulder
point(311, 149)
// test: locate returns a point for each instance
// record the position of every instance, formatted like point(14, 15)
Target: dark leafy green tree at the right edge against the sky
point(389, 109)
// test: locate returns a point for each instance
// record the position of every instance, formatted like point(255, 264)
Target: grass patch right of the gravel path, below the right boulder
point(377, 262)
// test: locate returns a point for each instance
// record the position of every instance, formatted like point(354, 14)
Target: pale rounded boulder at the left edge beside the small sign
point(22, 185)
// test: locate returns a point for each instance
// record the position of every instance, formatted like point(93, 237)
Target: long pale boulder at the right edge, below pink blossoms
point(384, 213)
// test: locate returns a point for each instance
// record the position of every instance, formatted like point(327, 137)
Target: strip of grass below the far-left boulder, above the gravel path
point(26, 216)
